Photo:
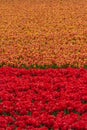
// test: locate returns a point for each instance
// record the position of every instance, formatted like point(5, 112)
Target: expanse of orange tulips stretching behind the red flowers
point(43, 32)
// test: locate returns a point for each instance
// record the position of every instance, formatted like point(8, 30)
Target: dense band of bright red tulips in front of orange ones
point(43, 99)
